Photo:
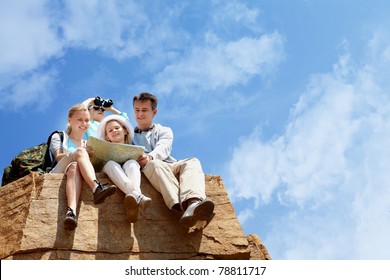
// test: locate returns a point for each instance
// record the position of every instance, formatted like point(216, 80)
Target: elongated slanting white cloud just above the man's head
point(220, 65)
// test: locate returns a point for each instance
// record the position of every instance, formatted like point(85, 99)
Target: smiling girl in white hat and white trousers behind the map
point(117, 129)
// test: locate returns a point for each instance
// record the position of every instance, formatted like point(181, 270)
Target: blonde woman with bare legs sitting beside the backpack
point(73, 160)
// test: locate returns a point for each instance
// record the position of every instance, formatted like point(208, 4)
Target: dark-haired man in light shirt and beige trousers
point(180, 182)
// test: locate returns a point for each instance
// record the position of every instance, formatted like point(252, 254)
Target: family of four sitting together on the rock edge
point(180, 182)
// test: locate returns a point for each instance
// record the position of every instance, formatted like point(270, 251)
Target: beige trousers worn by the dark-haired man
point(177, 181)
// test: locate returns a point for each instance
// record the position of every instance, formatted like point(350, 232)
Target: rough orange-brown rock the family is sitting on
point(33, 208)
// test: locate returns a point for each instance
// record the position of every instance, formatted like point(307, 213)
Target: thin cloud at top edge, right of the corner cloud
point(115, 28)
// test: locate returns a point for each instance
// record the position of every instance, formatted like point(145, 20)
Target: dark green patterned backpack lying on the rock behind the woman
point(34, 159)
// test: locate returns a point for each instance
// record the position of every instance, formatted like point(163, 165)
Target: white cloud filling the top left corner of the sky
point(28, 40)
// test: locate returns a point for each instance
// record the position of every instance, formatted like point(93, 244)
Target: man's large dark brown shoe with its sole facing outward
point(198, 210)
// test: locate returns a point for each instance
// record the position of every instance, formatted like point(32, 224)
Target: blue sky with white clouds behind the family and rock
point(288, 101)
